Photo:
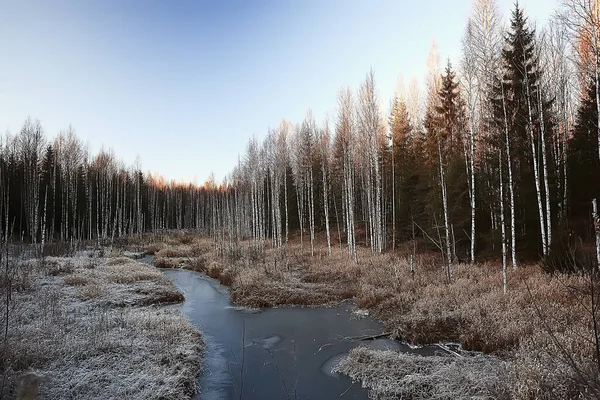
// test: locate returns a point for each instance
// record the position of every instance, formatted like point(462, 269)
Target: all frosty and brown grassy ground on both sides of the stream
point(91, 322)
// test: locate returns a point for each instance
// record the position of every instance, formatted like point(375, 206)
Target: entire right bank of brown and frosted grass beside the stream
point(537, 339)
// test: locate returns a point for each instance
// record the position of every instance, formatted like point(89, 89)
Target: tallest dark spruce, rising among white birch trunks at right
point(517, 90)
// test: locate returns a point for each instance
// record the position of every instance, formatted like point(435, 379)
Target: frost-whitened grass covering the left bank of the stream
point(91, 327)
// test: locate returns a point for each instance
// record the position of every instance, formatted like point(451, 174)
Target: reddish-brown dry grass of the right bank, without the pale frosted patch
point(424, 308)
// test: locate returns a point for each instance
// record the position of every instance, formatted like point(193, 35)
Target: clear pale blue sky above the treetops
point(185, 84)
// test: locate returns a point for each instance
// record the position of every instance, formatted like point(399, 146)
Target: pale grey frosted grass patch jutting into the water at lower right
point(392, 375)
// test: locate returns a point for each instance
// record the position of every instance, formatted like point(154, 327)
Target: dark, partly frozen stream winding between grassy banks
point(276, 353)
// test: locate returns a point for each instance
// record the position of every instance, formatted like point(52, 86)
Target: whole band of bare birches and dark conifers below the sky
point(499, 155)
